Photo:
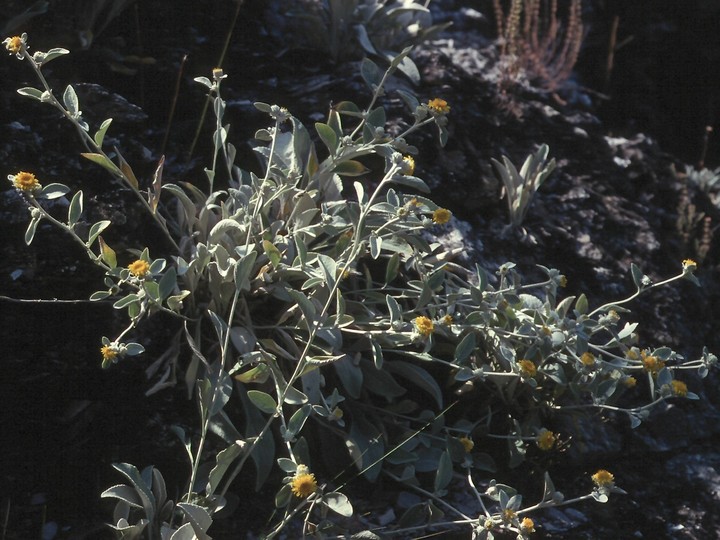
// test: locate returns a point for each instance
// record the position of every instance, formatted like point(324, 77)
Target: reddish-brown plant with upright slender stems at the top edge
point(535, 45)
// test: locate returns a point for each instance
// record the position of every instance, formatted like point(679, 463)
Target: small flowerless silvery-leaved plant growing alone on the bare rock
point(520, 187)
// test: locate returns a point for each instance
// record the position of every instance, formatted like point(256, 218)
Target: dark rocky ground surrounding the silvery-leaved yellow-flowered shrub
point(614, 200)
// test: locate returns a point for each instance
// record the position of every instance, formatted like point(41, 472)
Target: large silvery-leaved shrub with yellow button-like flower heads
point(315, 307)
